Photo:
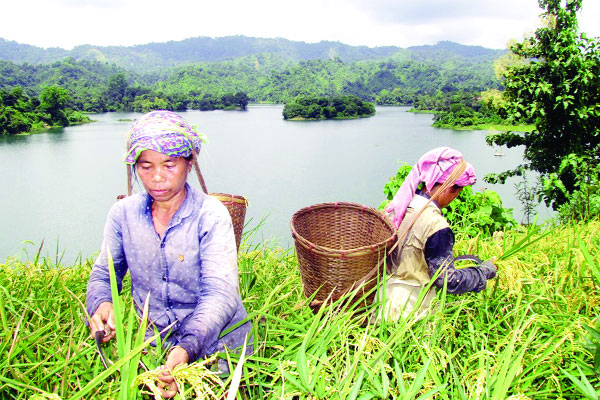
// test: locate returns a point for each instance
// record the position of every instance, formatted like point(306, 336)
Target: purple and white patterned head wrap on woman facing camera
point(164, 132)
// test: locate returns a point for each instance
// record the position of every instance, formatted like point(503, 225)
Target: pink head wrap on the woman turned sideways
point(433, 167)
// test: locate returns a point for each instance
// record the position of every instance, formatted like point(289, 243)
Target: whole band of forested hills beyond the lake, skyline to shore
point(426, 77)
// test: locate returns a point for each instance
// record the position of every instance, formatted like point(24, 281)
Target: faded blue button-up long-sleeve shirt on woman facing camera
point(190, 273)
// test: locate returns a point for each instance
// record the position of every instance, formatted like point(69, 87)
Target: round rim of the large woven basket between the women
point(336, 253)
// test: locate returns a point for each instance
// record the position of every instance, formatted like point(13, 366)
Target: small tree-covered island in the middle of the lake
point(318, 108)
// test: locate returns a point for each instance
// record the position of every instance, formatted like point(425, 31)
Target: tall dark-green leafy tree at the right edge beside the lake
point(554, 82)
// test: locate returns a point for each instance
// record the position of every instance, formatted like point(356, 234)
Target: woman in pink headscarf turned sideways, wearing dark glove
point(427, 247)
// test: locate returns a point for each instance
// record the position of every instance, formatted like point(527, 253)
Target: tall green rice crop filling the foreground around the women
point(525, 337)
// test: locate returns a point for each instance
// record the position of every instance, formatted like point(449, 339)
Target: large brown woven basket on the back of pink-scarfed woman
point(338, 246)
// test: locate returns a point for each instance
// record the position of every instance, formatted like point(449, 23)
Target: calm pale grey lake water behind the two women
point(57, 186)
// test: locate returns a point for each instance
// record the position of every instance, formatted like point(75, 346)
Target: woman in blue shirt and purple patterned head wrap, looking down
point(178, 245)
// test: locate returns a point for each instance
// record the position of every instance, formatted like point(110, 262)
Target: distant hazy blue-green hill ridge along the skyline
point(154, 56)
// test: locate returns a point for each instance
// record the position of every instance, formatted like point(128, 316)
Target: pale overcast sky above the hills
point(403, 23)
